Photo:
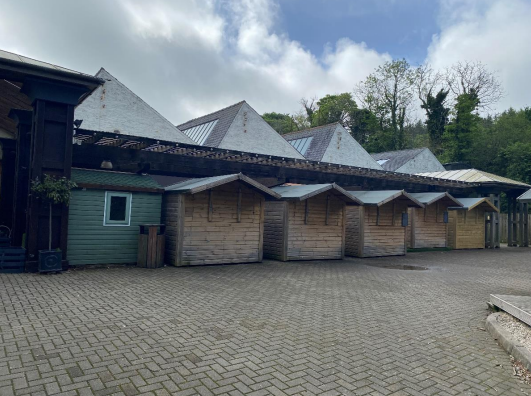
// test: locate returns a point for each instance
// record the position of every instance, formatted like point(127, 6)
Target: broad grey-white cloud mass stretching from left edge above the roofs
point(187, 57)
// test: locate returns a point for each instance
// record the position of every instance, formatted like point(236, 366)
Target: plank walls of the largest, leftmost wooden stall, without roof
point(217, 237)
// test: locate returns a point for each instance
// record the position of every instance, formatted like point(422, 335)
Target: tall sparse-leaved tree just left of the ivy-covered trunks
point(388, 93)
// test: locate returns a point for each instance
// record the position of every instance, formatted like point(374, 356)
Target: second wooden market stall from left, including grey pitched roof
point(307, 223)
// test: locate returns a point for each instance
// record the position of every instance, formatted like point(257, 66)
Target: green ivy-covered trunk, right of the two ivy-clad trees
point(459, 134)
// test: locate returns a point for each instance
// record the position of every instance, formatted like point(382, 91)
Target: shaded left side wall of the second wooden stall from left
point(275, 230)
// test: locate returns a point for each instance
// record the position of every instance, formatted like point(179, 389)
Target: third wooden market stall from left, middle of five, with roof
point(378, 227)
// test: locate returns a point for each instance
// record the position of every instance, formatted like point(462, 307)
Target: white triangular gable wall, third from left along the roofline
point(345, 150)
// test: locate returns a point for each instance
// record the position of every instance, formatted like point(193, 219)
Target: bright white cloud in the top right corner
point(495, 32)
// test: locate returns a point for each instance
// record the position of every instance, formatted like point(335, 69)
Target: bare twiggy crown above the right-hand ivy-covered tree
point(474, 78)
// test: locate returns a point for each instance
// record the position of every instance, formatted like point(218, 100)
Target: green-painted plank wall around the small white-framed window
point(90, 242)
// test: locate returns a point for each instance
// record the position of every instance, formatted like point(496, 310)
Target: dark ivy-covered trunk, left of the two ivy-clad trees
point(437, 118)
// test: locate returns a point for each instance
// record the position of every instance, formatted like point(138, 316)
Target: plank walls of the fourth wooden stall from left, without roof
point(426, 228)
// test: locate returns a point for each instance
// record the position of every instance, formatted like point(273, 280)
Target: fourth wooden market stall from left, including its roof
point(427, 226)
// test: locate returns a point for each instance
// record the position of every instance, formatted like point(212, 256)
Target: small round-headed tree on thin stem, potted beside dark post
point(53, 191)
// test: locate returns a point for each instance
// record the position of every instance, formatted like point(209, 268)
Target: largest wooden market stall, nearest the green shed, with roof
point(214, 220)
